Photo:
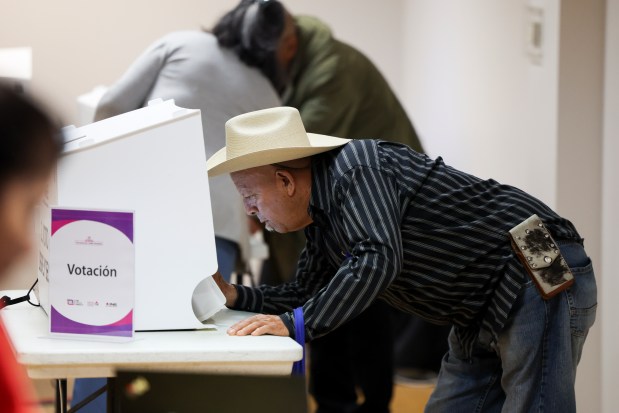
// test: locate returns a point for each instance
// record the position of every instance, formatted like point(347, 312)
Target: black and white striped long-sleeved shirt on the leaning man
point(393, 224)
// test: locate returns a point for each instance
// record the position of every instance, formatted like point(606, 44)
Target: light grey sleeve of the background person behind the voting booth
point(133, 88)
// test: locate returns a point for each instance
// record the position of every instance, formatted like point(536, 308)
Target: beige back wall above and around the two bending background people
point(78, 44)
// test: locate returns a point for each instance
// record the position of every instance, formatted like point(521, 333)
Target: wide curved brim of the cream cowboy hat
point(218, 164)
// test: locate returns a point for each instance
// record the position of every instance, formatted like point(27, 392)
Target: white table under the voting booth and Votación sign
point(196, 350)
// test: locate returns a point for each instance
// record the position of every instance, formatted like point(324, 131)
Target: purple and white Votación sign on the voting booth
point(92, 274)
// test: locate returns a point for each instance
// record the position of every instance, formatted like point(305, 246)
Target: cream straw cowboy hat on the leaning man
point(265, 137)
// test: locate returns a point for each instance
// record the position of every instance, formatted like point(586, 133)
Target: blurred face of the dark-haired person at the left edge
point(18, 199)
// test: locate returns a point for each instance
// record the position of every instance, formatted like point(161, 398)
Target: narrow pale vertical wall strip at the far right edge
point(610, 242)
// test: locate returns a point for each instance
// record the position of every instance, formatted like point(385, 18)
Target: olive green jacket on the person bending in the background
point(339, 91)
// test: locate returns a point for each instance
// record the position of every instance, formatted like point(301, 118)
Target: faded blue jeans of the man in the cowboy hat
point(531, 367)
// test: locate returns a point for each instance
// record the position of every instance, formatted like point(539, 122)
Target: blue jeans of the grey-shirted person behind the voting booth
point(227, 253)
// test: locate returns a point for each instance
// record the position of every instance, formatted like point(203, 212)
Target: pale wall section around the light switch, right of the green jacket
point(474, 95)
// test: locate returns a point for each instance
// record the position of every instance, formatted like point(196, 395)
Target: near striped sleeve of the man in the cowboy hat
point(370, 219)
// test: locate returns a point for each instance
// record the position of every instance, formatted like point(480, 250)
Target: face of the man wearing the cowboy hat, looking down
point(266, 194)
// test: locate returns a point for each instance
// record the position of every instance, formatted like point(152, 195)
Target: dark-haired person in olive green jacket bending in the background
point(339, 92)
